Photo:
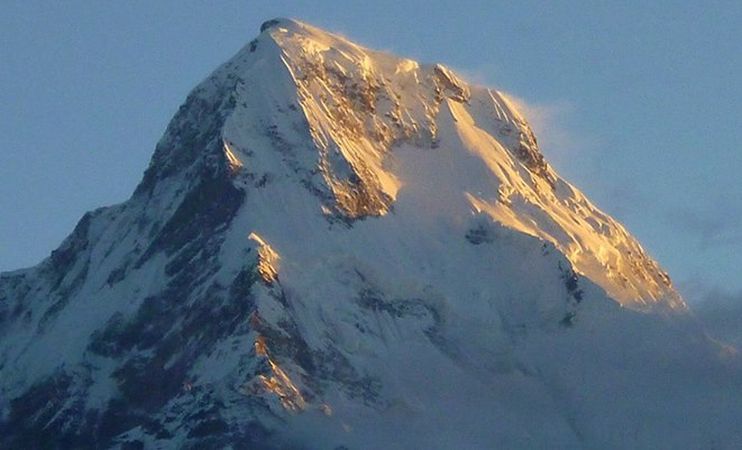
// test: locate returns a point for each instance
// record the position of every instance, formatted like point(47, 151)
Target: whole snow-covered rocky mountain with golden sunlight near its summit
point(335, 247)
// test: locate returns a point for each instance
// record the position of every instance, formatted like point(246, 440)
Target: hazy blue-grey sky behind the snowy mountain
point(639, 105)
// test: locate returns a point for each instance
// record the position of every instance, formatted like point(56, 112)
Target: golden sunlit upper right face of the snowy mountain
point(361, 104)
